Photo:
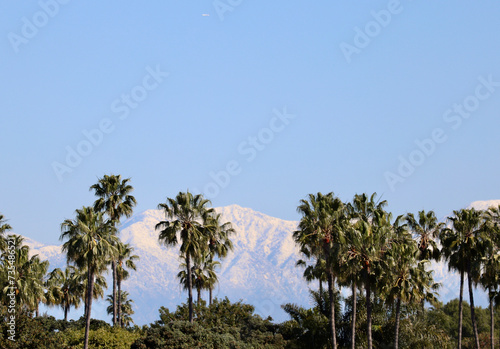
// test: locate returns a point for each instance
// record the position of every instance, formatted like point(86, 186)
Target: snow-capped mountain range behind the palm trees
point(260, 270)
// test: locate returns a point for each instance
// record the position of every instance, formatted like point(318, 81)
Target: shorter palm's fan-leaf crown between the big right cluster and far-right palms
point(426, 229)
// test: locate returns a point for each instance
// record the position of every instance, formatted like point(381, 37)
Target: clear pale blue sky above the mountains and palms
point(365, 80)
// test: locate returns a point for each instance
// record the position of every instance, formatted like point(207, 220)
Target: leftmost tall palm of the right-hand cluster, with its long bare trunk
point(320, 235)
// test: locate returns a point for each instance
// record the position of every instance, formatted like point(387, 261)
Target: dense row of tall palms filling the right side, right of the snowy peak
point(359, 244)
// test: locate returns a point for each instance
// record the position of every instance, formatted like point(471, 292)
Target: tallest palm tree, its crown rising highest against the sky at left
point(115, 200)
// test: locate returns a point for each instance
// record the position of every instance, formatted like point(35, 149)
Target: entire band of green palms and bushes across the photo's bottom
point(383, 260)
